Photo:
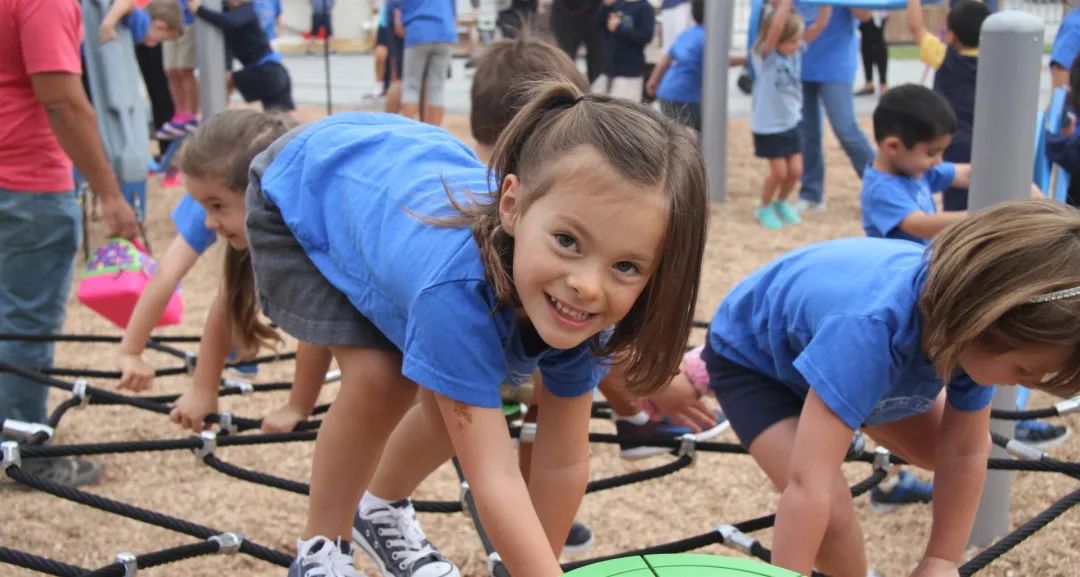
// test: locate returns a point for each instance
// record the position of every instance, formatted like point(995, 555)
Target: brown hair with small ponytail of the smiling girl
point(646, 150)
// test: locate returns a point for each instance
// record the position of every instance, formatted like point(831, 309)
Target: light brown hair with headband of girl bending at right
point(984, 274)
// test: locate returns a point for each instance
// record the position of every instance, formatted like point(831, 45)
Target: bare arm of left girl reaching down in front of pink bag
point(179, 260)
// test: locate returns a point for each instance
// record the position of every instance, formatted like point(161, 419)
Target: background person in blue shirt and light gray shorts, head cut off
point(430, 34)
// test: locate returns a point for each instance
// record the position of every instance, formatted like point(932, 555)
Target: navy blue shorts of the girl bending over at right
point(752, 401)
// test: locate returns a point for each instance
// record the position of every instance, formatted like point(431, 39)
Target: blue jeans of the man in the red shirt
point(39, 237)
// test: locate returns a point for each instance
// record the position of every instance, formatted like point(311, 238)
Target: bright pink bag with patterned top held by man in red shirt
point(116, 277)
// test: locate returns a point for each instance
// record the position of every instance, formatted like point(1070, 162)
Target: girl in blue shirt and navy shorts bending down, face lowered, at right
point(801, 357)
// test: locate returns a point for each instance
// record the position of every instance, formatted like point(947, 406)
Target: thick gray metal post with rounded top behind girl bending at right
point(1007, 99)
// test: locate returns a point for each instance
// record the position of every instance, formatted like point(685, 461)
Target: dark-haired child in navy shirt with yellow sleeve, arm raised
point(955, 63)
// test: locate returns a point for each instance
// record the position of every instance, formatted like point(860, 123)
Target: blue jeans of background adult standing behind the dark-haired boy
point(840, 105)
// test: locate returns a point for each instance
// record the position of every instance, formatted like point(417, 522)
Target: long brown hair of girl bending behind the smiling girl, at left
point(222, 151)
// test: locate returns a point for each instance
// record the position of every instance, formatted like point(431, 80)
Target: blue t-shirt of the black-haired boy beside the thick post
point(887, 199)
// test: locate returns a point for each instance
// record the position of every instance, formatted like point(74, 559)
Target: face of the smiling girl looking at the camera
point(586, 250)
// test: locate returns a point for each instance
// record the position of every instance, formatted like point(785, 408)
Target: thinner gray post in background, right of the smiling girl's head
point(720, 16)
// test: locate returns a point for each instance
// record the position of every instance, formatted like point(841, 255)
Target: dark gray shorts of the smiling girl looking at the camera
point(291, 290)
